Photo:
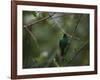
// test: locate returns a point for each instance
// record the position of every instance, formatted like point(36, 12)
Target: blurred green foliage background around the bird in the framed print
point(44, 30)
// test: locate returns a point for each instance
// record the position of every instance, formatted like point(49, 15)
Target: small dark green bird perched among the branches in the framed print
point(63, 44)
